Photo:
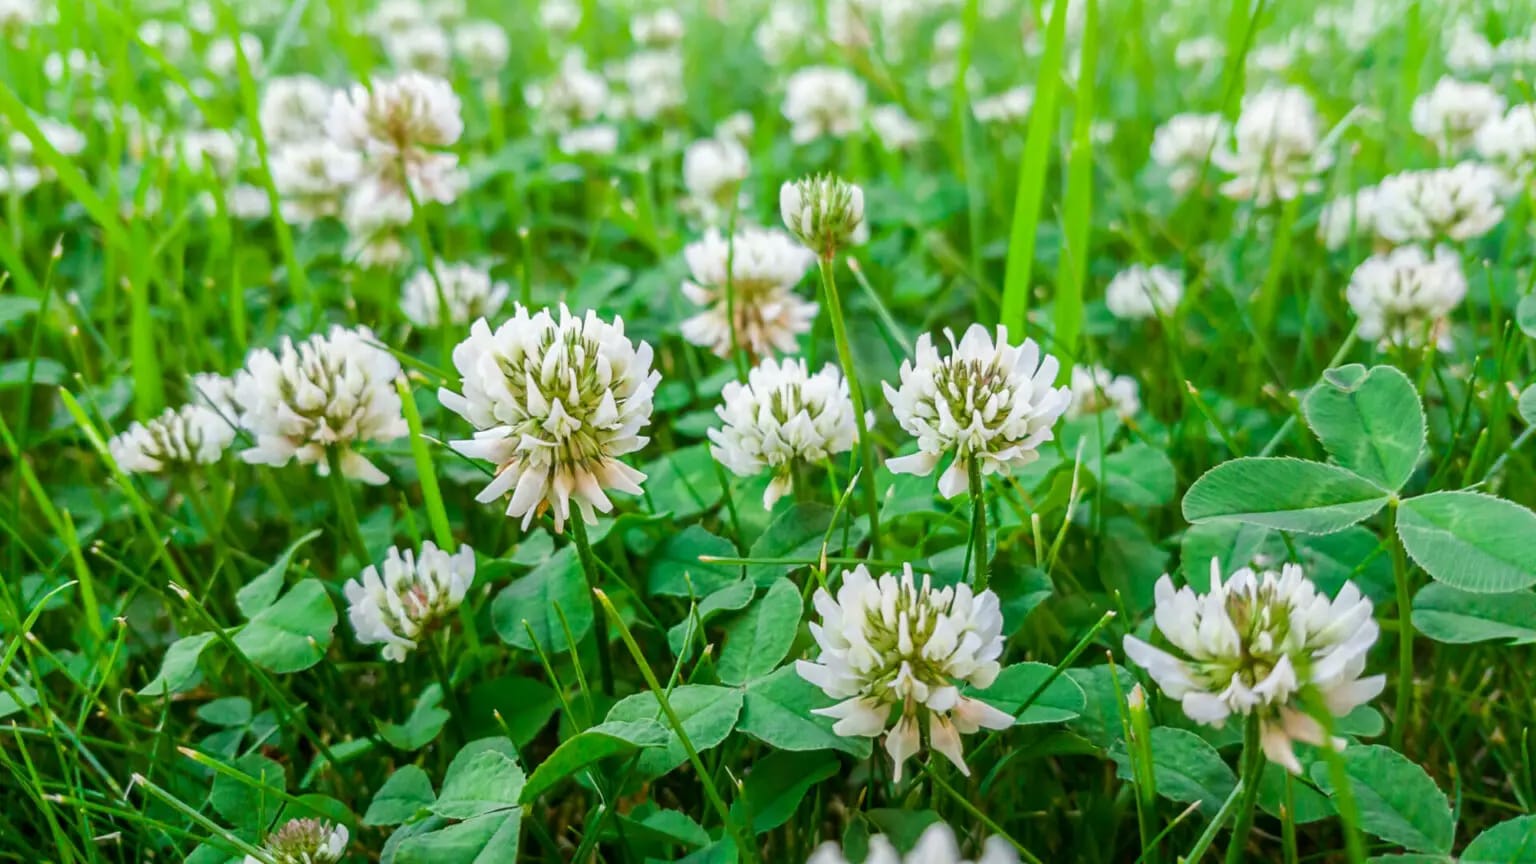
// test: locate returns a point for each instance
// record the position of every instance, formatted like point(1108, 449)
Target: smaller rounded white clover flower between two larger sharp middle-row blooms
point(783, 417)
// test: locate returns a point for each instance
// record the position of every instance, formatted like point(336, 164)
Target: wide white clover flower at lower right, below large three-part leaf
point(1260, 645)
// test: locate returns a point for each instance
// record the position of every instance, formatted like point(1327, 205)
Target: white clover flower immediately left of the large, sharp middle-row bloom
point(328, 391)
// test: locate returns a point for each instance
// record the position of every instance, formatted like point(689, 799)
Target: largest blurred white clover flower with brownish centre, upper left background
point(400, 131)
